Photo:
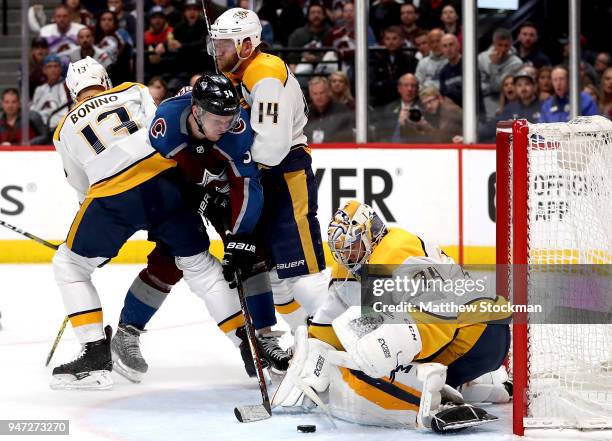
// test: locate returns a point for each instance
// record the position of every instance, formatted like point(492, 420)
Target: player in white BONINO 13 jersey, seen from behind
point(124, 185)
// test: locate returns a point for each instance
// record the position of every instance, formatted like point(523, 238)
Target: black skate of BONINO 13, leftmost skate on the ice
point(90, 370)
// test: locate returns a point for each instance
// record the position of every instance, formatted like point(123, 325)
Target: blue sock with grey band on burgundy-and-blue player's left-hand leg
point(142, 301)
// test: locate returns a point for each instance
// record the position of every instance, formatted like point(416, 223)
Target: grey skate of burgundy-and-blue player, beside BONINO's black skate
point(127, 358)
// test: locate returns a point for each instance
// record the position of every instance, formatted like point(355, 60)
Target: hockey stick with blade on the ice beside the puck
point(254, 412)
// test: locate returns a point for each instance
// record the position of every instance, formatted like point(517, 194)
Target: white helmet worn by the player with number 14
point(237, 24)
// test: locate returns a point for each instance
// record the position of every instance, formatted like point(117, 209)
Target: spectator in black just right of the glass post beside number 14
point(388, 66)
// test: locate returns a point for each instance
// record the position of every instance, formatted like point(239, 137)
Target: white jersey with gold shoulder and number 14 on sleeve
point(278, 108)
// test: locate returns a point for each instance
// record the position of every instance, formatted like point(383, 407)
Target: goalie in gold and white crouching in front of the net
point(413, 371)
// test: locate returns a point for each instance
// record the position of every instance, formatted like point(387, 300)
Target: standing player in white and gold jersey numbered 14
point(278, 117)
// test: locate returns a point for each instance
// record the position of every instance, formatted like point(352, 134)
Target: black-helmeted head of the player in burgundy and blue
point(215, 105)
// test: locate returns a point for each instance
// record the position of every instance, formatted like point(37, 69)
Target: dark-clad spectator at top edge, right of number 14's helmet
point(311, 35)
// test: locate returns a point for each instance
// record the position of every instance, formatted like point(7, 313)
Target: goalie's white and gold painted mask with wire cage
point(353, 233)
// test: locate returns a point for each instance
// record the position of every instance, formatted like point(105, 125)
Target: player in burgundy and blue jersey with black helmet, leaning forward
point(195, 129)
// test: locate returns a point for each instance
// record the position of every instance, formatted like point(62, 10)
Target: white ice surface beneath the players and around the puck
point(195, 378)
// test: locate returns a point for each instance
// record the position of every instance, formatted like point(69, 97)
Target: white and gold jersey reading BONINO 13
point(104, 142)
